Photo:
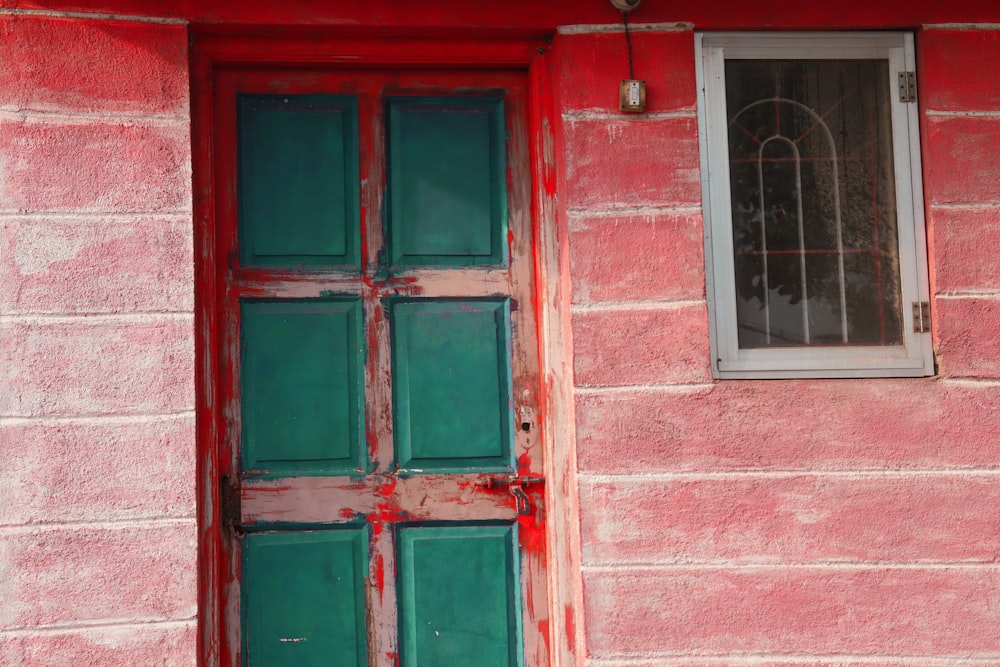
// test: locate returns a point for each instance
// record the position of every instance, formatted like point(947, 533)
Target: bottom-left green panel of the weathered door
point(304, 598)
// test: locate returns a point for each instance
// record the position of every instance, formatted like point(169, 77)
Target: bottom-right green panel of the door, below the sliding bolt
point(459, 588)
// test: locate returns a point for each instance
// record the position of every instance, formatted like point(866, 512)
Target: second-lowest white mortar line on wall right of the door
point(853, 566)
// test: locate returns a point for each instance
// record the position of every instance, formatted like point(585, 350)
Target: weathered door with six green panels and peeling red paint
point(384, 472)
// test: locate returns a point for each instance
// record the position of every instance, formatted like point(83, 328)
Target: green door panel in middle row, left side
point(302, 384)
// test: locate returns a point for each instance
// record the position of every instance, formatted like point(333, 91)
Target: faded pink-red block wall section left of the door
point(97, 529)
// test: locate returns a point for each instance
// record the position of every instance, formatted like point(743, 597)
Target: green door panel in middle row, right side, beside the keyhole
point(451, 384)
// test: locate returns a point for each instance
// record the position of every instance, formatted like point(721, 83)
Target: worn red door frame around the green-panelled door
point(561, 545)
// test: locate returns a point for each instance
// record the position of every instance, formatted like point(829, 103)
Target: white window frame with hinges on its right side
point(914, 357)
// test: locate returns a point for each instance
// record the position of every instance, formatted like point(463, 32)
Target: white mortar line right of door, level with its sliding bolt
point(759, 473)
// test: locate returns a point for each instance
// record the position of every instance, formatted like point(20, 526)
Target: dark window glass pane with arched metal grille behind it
point(813, 203)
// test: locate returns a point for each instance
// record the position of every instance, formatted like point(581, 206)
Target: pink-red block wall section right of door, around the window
point(784, 522)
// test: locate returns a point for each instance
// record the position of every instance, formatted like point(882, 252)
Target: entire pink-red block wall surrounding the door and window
point(730, 522)
